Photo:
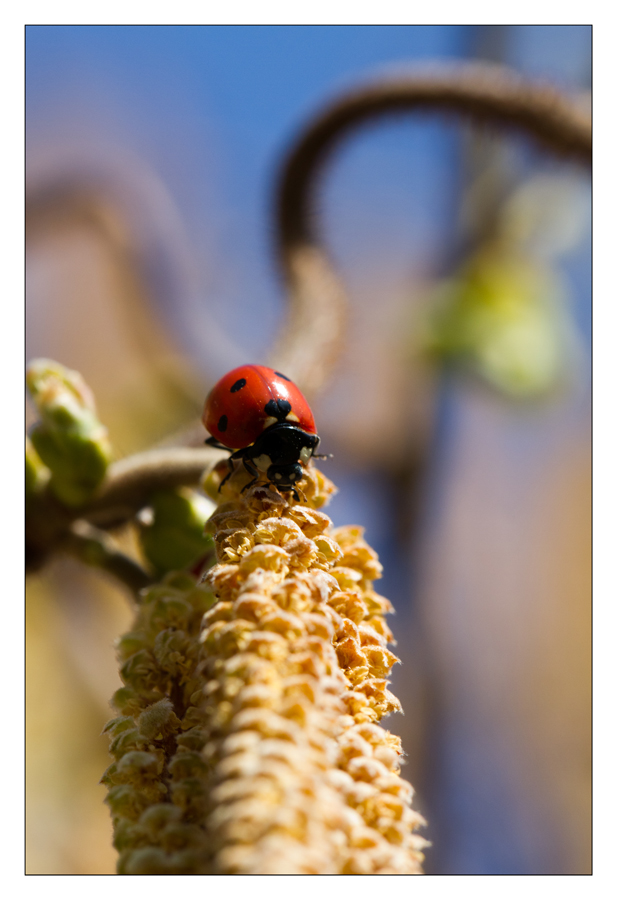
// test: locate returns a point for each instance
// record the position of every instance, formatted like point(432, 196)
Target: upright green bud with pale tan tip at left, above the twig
point(69, 439)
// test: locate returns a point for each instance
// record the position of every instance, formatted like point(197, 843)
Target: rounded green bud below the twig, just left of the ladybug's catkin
point(172, 534)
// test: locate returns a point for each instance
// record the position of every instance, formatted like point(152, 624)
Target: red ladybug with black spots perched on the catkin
point(262, 418)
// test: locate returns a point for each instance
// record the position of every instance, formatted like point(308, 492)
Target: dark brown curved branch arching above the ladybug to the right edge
point(486, 94)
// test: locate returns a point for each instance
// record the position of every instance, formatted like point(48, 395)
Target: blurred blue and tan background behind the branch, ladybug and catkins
point(459, 415)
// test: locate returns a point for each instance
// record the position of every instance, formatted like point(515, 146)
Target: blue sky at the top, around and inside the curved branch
point(212, 109)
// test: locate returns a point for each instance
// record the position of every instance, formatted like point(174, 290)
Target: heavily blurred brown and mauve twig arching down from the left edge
point(127, 211)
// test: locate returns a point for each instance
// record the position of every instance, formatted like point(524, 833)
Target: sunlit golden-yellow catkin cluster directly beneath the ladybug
point(301, 777)
